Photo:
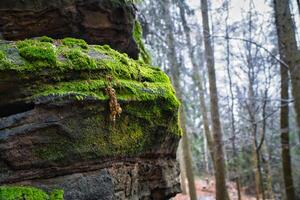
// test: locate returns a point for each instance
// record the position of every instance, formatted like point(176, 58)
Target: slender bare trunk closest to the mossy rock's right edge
point(174, 68)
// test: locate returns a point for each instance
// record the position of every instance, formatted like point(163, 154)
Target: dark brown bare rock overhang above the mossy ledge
point(96, 21)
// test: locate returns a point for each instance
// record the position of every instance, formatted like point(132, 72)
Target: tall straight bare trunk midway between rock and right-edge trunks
point(220, 172)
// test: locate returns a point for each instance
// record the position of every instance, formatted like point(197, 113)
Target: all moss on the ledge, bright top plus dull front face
point(79, 74)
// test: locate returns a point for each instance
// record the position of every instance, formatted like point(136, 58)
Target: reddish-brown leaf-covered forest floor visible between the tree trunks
point(207, 191)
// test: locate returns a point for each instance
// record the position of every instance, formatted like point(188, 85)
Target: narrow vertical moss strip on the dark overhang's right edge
point(137, 35)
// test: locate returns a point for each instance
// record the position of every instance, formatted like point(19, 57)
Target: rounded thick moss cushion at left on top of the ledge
point(39, 53)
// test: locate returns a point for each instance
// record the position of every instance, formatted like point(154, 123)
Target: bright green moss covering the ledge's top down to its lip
point(51, 61)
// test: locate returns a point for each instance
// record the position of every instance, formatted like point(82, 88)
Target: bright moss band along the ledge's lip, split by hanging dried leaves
point(126, 90)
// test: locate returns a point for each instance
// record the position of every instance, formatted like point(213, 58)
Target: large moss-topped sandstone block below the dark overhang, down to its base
point(59, 128)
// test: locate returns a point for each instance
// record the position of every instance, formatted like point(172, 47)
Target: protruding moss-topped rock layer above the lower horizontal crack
point(63, 86)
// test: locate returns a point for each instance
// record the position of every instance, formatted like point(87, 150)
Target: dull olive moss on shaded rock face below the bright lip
point(131, 134)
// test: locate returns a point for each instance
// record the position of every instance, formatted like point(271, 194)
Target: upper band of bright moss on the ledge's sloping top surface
point(36, 56)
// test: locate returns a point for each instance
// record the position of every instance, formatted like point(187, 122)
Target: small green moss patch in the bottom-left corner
point(27, 193)
